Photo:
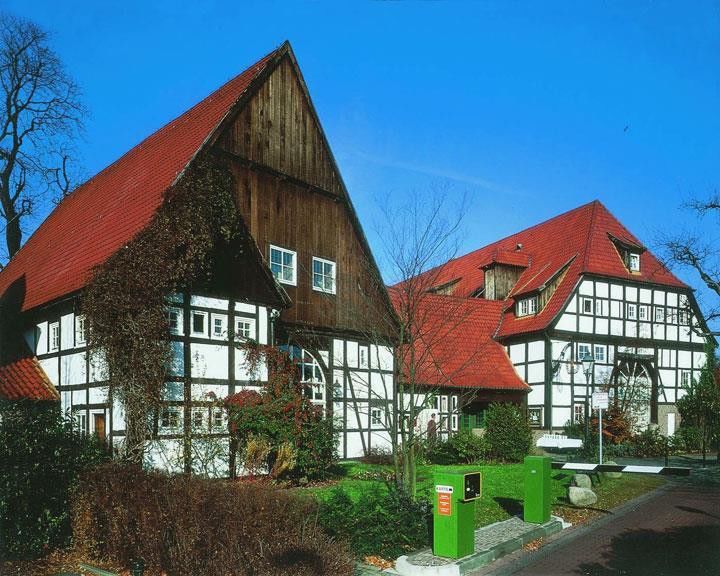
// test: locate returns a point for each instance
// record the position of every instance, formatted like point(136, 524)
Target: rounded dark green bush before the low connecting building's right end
point(508, 432)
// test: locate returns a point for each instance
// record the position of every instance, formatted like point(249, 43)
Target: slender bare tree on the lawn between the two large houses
point(419, 238)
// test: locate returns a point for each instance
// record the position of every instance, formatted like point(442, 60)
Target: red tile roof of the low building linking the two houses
point(454, 345)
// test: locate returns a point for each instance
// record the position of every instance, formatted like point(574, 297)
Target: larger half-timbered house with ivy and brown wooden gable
point(306, 279)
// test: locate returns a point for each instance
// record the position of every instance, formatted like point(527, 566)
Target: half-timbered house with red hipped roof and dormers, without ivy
point(577, 287)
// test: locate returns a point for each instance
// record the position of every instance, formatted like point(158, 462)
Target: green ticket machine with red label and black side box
point(454, 513)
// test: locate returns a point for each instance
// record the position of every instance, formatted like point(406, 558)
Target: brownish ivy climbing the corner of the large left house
point(125, 301)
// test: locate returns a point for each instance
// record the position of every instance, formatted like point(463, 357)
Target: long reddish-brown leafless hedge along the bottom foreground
point(185, 525)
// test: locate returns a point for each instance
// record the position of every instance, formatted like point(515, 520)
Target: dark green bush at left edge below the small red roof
point(41, 455)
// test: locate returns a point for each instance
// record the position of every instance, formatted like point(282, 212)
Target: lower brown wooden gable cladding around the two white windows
point(294, 216)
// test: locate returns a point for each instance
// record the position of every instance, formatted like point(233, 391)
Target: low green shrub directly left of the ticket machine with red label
point(388, 523)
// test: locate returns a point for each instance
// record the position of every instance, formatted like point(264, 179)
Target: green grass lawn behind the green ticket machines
point(502, 489)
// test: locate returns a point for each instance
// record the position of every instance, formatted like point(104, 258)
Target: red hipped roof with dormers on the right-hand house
point(582, 237)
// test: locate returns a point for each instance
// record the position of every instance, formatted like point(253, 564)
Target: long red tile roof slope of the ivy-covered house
point(108, 210)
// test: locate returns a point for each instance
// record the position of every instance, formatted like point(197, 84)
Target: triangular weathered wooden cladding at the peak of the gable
point(278, 128)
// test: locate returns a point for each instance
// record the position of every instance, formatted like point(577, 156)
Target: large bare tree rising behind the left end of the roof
point(40, 114)
